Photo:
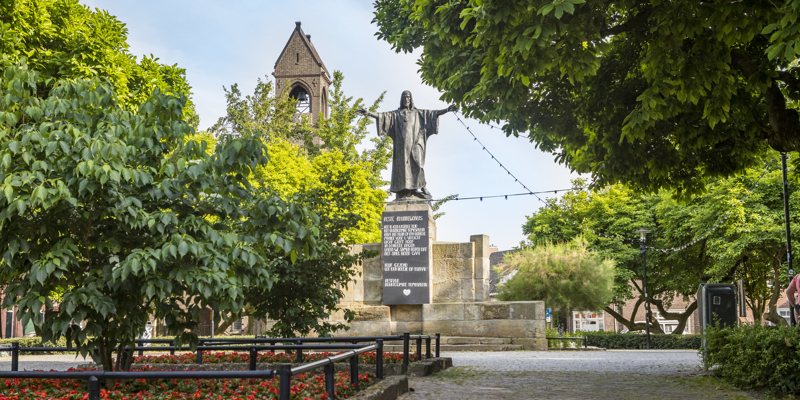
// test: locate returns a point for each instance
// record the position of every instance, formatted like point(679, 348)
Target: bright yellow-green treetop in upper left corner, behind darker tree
point(62, 39)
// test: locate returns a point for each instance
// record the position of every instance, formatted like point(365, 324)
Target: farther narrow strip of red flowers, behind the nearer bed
point(269, 357)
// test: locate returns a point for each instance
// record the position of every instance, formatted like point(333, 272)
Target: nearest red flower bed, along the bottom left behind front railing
point(304, 386)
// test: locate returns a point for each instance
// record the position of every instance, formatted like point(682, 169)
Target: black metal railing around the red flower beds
point(284, 373)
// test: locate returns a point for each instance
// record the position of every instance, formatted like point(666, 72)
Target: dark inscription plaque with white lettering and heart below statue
point(406, 258)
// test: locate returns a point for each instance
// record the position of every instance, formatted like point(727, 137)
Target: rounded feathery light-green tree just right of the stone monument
point(567, 276)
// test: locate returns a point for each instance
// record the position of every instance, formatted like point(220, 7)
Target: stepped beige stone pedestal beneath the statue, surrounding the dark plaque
point(459, 284)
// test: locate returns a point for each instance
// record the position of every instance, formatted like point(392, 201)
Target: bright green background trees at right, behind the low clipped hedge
point(749, 244)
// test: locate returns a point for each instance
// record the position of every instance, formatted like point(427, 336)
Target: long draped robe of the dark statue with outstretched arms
point(409, 130)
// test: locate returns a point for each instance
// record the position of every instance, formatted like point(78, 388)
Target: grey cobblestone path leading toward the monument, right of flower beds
point(637, 375)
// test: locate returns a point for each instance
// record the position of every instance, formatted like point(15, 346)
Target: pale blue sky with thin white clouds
point(220, 43)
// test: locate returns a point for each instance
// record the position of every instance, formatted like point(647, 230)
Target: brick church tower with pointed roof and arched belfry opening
point(300, 72)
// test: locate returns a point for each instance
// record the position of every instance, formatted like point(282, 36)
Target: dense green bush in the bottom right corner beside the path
point(756, 357)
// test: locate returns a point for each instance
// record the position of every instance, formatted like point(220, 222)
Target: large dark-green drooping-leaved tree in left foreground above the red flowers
point(133, 219)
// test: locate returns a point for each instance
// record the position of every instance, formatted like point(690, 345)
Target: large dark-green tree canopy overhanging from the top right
point(655, 94)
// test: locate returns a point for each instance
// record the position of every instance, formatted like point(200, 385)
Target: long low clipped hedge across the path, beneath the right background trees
point(631, 341)
